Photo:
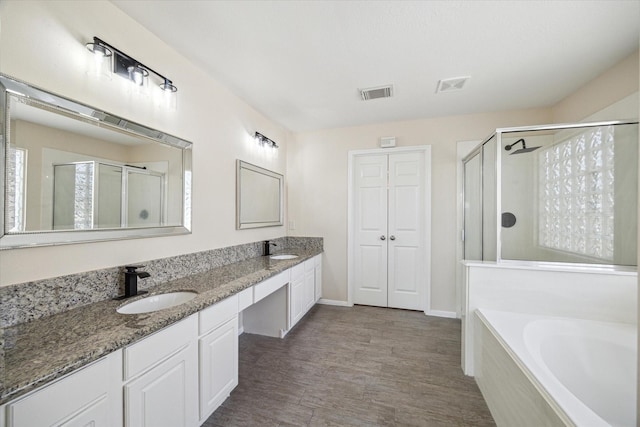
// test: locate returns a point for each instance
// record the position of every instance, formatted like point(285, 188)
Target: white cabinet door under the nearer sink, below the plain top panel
point(167, 395)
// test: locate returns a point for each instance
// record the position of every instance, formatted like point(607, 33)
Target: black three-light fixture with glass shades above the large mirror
point(128, 67)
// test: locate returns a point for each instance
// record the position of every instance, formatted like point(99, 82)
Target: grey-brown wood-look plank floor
point(360, 366)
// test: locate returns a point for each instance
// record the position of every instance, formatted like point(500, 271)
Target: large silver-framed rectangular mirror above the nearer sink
point(77, 174)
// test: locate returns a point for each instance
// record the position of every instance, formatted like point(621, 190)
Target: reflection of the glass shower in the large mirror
point(98, 195)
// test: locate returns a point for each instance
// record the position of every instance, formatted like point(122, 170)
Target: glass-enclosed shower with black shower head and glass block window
point(554, 193)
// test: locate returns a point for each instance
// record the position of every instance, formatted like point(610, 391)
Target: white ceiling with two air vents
point(301, 63)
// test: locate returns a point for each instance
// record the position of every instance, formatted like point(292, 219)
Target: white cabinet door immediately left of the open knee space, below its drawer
point(218, 366)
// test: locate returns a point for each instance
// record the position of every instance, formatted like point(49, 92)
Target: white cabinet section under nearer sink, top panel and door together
point(161, 374)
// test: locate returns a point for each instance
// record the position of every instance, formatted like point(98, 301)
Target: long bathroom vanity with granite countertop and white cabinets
point(170, 367)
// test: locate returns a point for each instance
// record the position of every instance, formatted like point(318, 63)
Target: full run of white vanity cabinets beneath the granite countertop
point(177, 376)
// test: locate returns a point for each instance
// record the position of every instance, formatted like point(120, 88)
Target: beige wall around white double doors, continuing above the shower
point(317, 168)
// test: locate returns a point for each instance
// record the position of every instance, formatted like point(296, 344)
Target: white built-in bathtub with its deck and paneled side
point(520, 387)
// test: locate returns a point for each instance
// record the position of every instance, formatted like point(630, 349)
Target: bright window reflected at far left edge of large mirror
point(16, 175)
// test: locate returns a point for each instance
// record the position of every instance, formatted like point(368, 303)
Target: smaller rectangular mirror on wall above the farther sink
point(259, 201)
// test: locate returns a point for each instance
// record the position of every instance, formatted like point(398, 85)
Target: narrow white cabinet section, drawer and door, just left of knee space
point(218, 354)
